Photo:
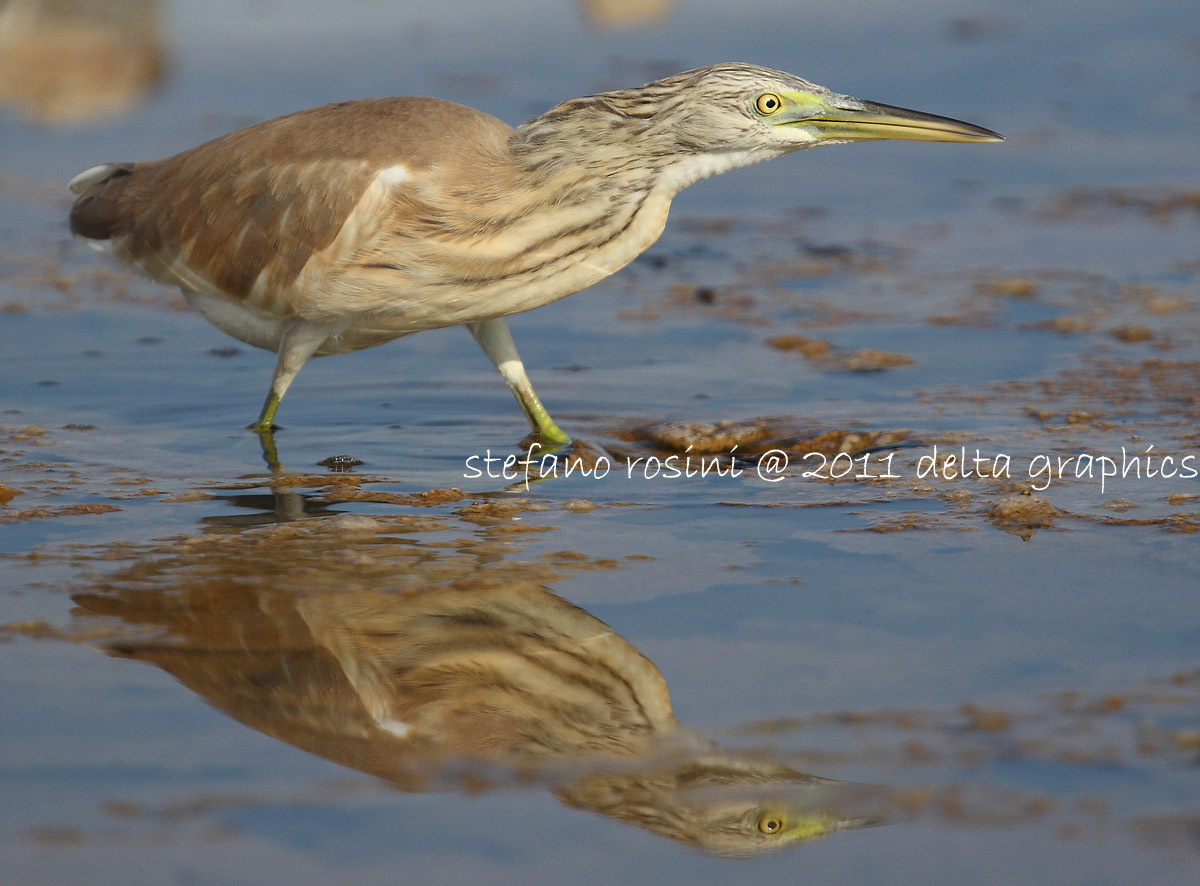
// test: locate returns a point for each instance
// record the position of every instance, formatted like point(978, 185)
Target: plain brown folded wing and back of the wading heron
point(243, 215)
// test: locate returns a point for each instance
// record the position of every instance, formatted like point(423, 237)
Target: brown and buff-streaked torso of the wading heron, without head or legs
point(374, 219)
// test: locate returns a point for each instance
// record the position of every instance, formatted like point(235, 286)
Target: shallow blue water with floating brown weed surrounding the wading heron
point(207, 668)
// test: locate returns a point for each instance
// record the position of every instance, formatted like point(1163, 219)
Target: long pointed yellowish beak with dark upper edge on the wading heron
point(845, 119)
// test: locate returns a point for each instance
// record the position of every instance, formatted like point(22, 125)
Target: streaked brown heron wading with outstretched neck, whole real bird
point(350, 225)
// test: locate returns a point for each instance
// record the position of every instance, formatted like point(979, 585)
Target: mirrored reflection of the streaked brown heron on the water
point(461, 687)
